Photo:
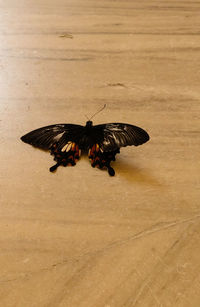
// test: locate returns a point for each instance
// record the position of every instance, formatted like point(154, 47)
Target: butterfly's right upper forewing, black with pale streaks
point(112, 136)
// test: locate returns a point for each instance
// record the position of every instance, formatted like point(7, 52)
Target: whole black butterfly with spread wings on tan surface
point(102, 142)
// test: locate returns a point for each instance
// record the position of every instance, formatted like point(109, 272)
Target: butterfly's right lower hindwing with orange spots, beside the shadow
point(102, 159)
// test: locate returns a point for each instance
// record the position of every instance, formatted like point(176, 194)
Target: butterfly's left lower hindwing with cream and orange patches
point(67, 155)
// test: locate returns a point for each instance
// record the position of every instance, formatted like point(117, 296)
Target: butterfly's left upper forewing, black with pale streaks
point(45, 137)
